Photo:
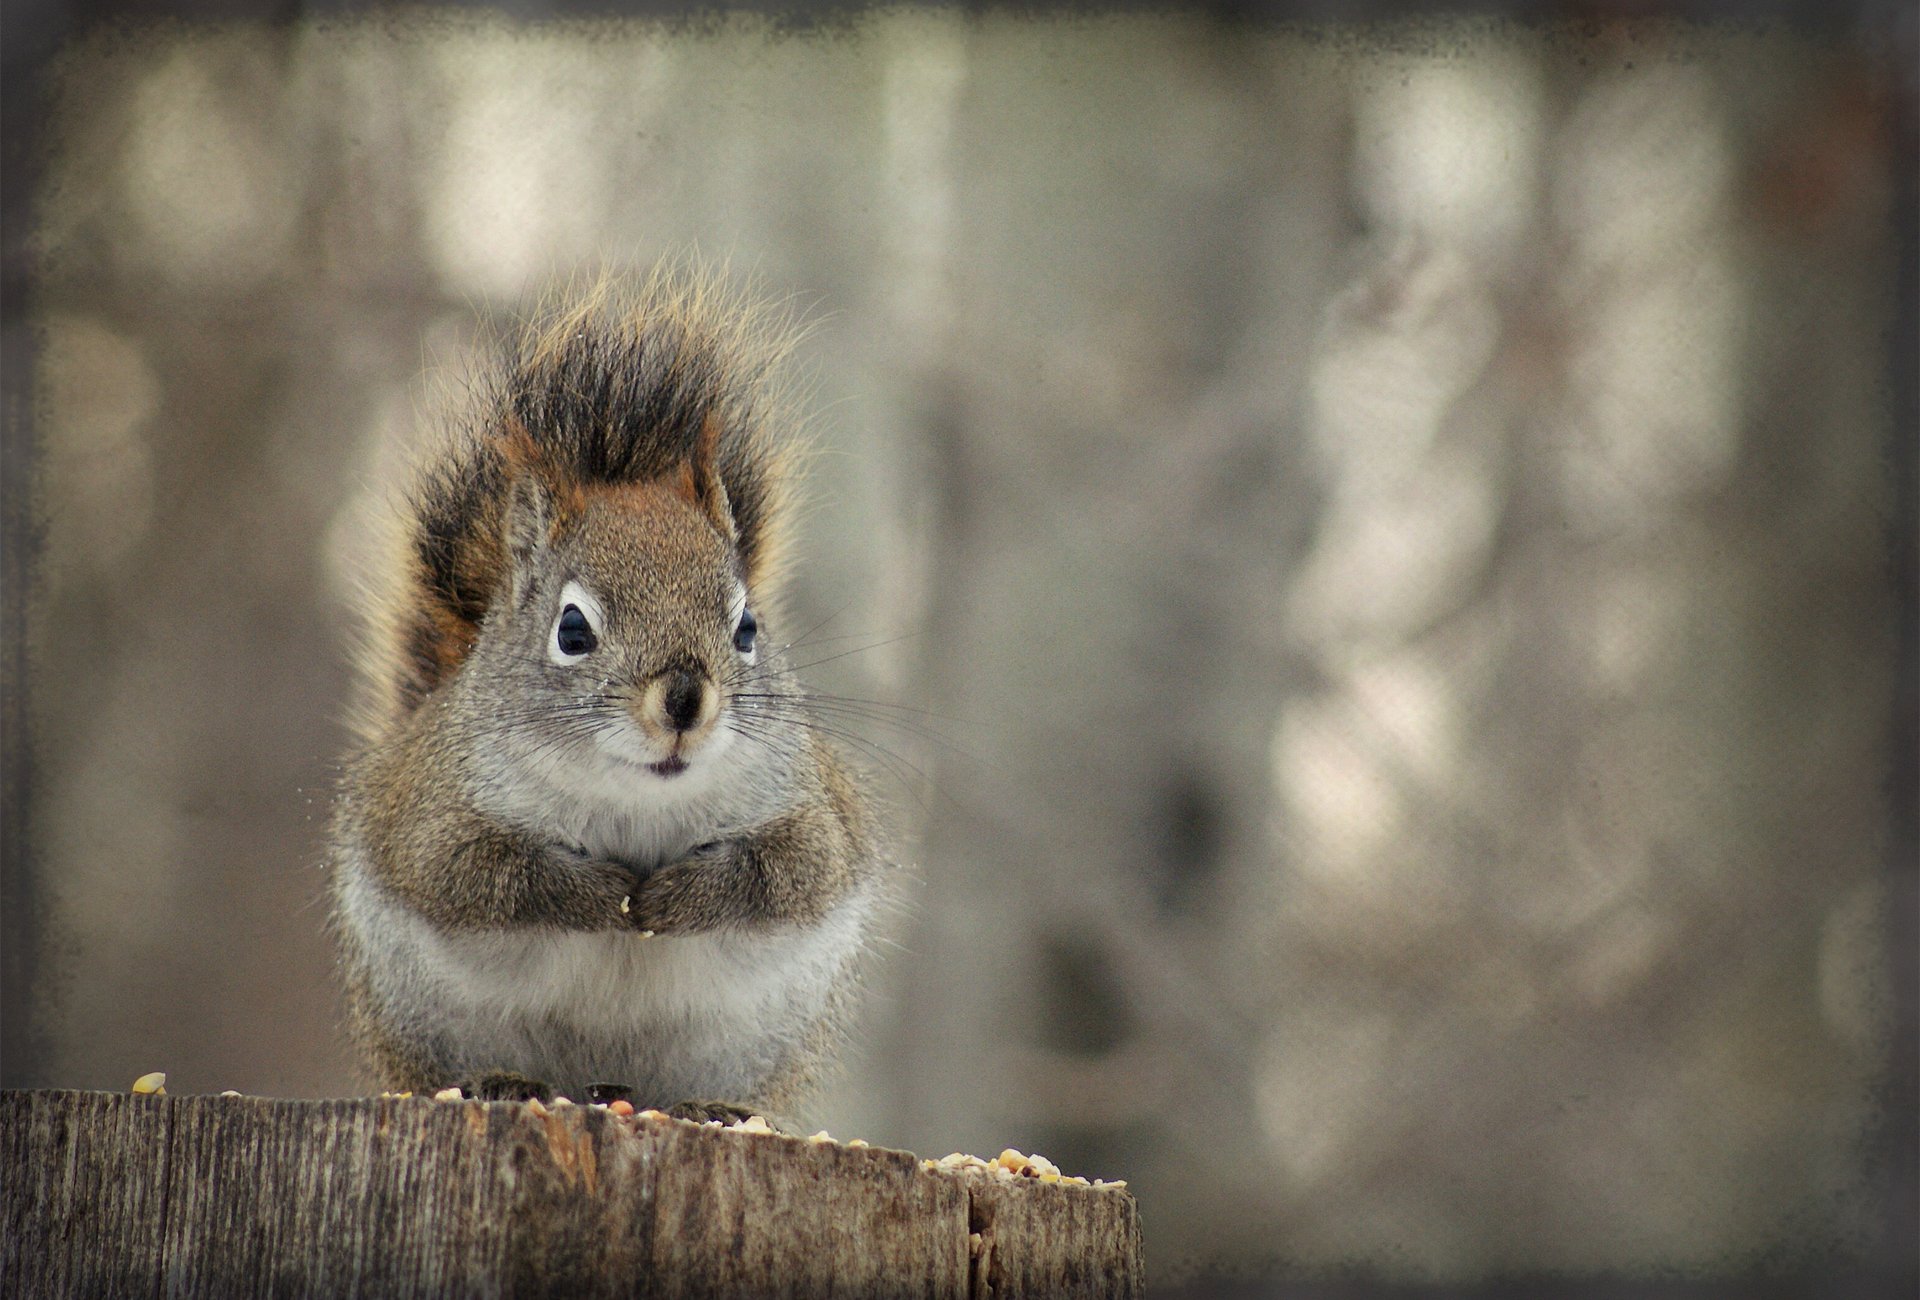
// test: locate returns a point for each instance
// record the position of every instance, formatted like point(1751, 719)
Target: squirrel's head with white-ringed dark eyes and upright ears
point(625, 623)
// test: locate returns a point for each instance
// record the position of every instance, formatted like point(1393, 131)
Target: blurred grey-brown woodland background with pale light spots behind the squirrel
point(1380, 558)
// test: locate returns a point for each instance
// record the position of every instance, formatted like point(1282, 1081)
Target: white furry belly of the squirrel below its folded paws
point(675, 1017)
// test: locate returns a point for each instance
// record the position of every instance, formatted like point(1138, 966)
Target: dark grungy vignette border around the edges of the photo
point(1886, 34)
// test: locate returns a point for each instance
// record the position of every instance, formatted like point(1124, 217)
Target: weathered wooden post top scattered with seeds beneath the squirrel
point(114, 1195)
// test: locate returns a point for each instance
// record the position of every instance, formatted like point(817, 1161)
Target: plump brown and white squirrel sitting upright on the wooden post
point(592, 840)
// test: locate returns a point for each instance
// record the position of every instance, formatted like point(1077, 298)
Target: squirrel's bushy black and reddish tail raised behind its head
point(621, 391)
